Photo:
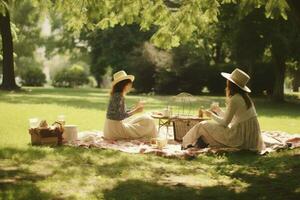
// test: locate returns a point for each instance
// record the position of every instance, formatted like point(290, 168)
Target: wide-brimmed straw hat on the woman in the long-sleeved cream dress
point(239, 78)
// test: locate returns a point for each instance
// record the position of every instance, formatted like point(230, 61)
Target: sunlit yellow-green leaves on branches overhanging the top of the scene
point(174, 25)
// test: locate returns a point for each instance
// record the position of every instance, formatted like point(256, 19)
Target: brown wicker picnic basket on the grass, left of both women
point(47, 136)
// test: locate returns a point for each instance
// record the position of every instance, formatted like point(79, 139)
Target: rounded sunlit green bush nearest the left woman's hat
point(70, 77)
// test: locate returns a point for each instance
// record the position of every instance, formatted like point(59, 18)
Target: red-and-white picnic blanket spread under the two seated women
point(274, 141)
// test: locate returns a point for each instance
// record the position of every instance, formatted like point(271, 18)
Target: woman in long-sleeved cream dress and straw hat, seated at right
point(237, 127)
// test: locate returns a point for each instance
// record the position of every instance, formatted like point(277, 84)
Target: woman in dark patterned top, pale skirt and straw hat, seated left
point(118, 125)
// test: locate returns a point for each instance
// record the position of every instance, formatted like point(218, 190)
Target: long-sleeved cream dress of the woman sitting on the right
point(238, 127)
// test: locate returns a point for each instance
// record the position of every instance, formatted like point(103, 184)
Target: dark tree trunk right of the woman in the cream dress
point(280, 68)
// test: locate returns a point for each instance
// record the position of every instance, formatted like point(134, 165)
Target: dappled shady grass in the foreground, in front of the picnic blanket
point(68, 172)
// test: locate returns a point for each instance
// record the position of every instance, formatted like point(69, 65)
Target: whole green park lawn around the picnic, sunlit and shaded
point(71, 173)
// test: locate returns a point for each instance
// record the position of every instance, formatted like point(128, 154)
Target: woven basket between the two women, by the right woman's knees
point(182, 126)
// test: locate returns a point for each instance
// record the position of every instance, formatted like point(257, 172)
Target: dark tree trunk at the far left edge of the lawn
point(8, 81)
